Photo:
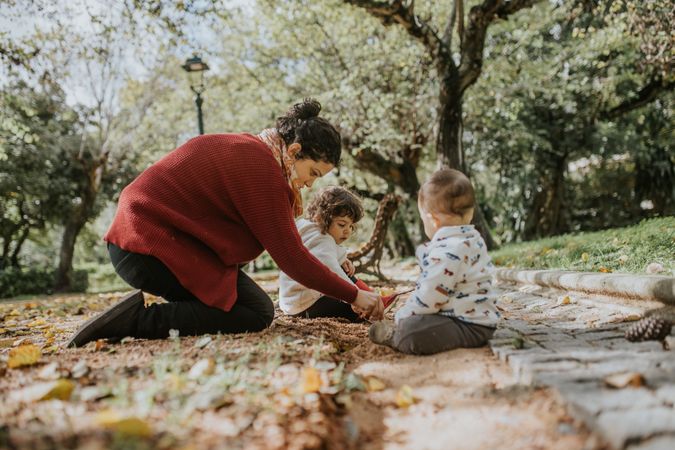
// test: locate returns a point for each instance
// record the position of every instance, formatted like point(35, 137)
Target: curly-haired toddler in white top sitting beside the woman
point(331, 218)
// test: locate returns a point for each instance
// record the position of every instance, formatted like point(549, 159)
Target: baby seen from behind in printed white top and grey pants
point(453, 303)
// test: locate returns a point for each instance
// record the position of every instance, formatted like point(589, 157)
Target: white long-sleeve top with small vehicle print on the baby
point(456, 278)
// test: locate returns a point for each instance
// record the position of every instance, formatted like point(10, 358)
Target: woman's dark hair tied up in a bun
point(319, 139)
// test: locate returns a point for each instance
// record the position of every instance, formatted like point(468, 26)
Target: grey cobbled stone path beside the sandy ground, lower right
point(573, 344)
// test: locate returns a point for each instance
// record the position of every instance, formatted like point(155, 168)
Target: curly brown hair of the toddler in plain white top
point(331, 202)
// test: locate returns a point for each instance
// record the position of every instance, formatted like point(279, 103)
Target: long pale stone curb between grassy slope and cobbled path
point(643, 287)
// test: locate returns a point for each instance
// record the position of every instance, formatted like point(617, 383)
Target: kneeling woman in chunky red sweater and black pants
point(188, 223)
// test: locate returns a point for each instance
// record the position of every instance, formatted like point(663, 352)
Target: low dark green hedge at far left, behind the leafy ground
point(15, 281)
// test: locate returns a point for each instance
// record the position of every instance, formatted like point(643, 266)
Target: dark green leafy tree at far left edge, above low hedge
point(35, 135)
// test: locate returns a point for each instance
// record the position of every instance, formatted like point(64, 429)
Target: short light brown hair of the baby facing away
point(448, 191)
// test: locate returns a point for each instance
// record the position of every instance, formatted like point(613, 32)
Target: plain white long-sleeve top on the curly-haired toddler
point(294, 298)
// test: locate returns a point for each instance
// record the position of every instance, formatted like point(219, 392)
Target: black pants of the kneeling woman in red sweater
point(253, 310)
